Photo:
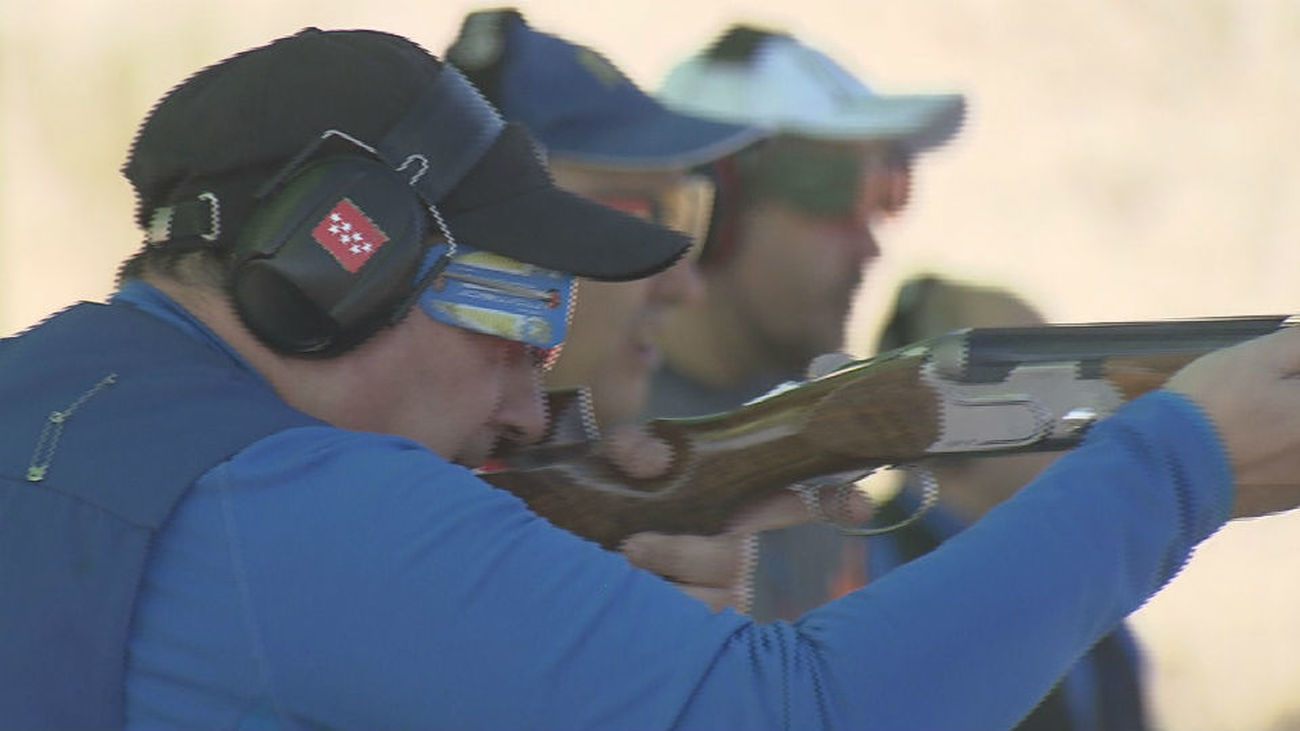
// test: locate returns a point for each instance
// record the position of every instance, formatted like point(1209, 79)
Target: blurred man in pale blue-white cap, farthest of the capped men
point(790, 243)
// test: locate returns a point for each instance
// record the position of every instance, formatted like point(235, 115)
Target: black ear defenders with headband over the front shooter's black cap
point(331, 249)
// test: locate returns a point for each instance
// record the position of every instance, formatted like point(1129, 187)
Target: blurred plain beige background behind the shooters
point(1124, 159)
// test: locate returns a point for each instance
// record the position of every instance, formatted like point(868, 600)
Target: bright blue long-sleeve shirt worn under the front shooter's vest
point(344, 579)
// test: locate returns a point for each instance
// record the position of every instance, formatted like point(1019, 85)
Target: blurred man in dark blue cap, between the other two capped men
point(608, 141)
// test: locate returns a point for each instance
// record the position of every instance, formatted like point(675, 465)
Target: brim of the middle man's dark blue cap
point(653, 137)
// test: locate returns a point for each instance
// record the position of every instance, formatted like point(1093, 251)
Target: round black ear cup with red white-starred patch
point(328, 256)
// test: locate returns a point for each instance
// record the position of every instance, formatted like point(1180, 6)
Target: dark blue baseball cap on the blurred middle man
point(579, 105)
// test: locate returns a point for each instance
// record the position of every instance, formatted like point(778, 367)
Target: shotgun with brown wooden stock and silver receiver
point(981, 391)
